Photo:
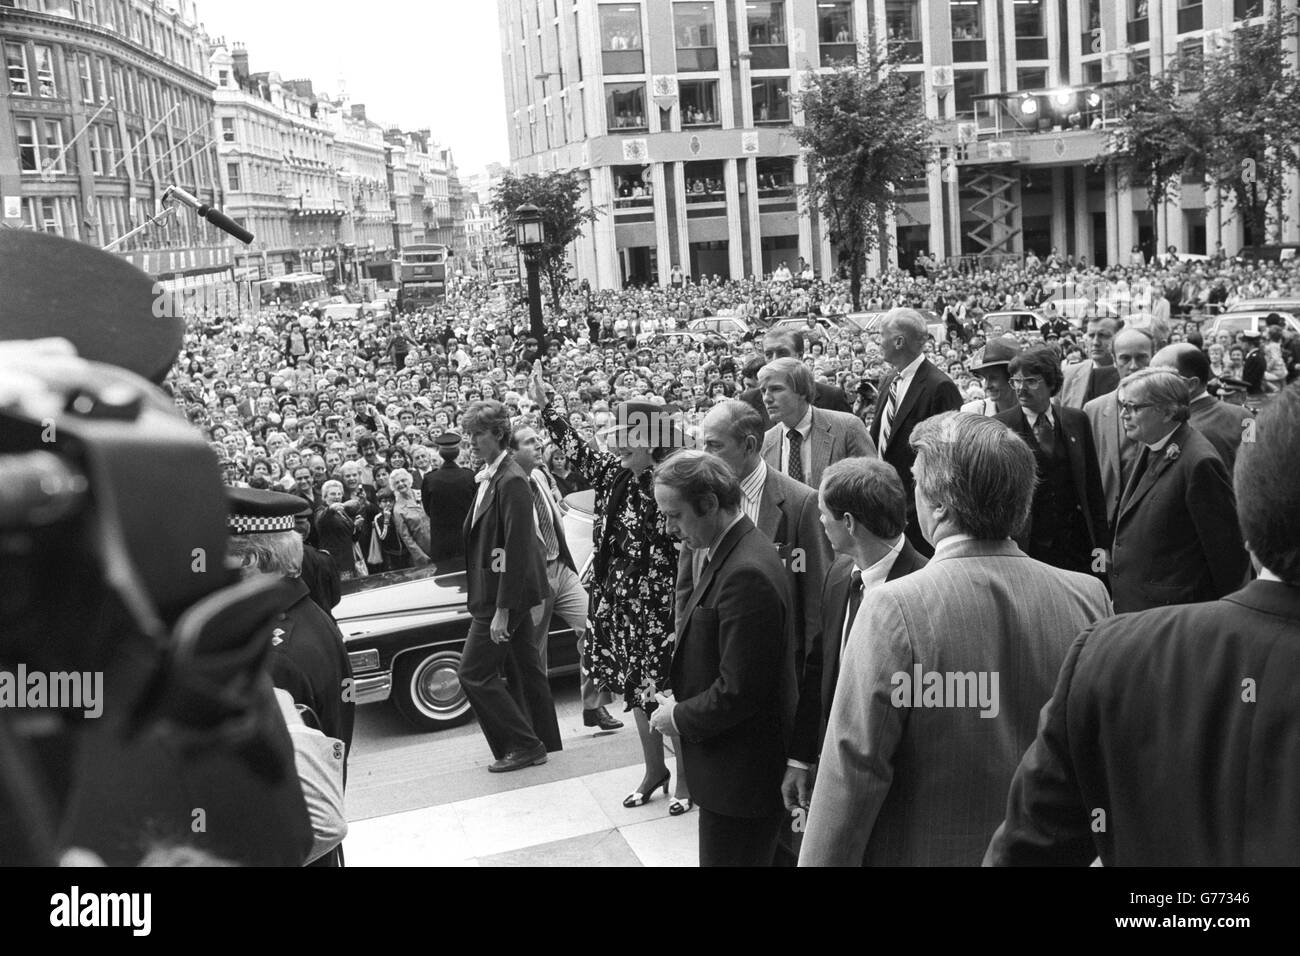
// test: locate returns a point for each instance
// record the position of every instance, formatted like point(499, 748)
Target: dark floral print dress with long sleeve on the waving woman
point(634, 572)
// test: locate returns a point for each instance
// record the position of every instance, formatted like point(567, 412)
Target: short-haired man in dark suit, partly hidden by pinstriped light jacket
point(864, 511)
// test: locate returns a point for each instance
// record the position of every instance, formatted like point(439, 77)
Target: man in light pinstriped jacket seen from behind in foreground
point(946, 671)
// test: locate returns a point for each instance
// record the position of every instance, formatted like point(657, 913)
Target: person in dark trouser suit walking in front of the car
point(506, 578)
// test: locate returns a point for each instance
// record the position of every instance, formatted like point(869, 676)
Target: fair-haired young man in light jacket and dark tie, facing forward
point(805, 440)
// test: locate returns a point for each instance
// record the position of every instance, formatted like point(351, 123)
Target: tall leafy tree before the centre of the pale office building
point(866, 135)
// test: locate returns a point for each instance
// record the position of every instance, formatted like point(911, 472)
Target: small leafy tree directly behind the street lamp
point(560, 196)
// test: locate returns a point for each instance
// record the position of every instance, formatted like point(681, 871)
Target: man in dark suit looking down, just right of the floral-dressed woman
point(733, 672)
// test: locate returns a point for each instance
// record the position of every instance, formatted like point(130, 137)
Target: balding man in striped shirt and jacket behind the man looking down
point(783, 509)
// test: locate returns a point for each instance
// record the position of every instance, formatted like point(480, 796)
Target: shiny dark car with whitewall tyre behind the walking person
point(405, 631)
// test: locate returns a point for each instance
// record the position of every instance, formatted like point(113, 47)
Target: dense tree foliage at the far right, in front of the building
point(1230, 118)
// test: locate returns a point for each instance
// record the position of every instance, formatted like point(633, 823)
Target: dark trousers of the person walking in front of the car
point(483, 674)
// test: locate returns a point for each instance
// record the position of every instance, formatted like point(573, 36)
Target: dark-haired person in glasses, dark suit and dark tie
point(1068, 522)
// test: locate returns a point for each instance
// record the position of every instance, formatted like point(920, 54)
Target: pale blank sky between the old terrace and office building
point(413, 63)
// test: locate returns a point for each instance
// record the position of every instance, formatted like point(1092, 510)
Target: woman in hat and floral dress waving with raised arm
point(632, 581)
